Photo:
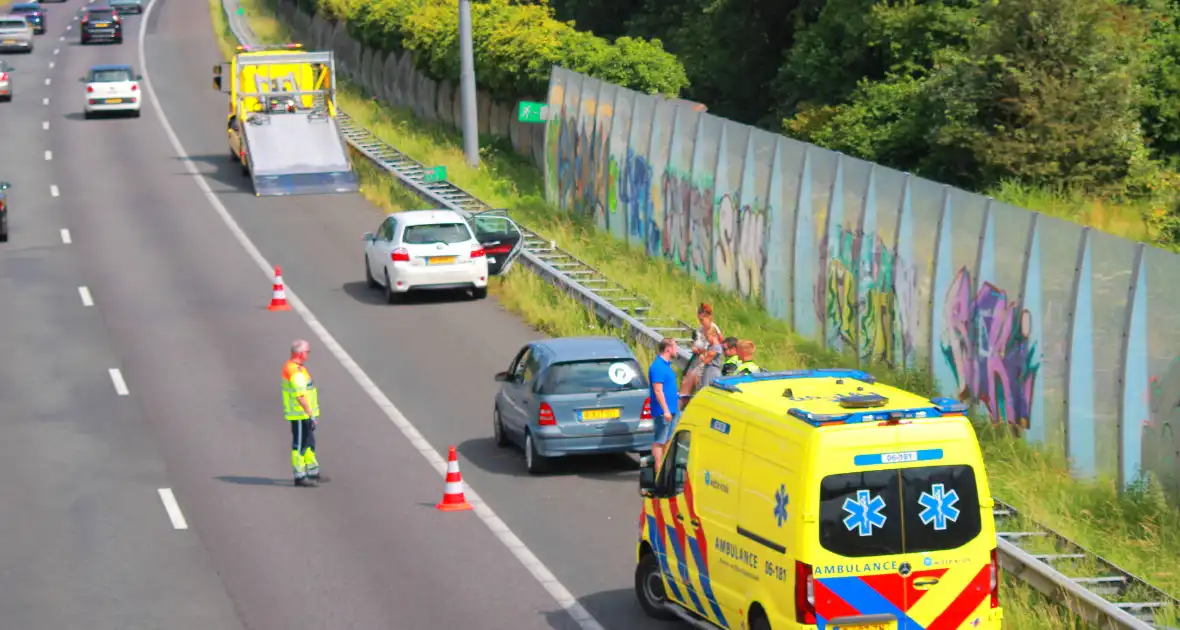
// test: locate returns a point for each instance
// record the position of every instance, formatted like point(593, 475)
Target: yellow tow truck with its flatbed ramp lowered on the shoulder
point(283, 121)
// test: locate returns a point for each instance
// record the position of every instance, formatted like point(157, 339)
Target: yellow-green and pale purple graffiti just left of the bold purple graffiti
point(876, 311)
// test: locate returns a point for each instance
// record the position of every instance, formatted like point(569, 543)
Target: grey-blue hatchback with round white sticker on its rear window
point(573, 396)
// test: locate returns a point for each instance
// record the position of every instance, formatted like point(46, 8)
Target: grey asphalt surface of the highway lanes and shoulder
point(150, 283)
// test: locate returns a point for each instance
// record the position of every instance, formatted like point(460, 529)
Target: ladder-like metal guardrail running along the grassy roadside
point(1096, 589)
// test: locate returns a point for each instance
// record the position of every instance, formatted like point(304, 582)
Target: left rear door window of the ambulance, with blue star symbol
point(861, 514)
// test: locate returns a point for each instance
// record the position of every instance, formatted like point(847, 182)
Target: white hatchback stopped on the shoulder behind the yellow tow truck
point(425, 251)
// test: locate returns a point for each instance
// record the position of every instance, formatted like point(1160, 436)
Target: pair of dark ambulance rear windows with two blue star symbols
point(899, 511)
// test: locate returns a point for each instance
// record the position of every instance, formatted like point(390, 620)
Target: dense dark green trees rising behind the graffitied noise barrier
point(1065, 95)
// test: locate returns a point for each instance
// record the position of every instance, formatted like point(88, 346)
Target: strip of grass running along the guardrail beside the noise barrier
point(1129, 529)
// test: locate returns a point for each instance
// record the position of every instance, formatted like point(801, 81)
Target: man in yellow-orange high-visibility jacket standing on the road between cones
point(301, 406)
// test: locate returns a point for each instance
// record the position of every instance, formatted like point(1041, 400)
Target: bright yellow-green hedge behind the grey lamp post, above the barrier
point(516, 45)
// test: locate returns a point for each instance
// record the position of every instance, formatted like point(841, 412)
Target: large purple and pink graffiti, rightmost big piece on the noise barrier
point(987, 344)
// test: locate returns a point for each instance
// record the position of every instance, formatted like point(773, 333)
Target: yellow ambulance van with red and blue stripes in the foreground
point(820, 500)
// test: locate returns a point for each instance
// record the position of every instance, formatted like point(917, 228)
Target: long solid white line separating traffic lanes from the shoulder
point(500, 529)
